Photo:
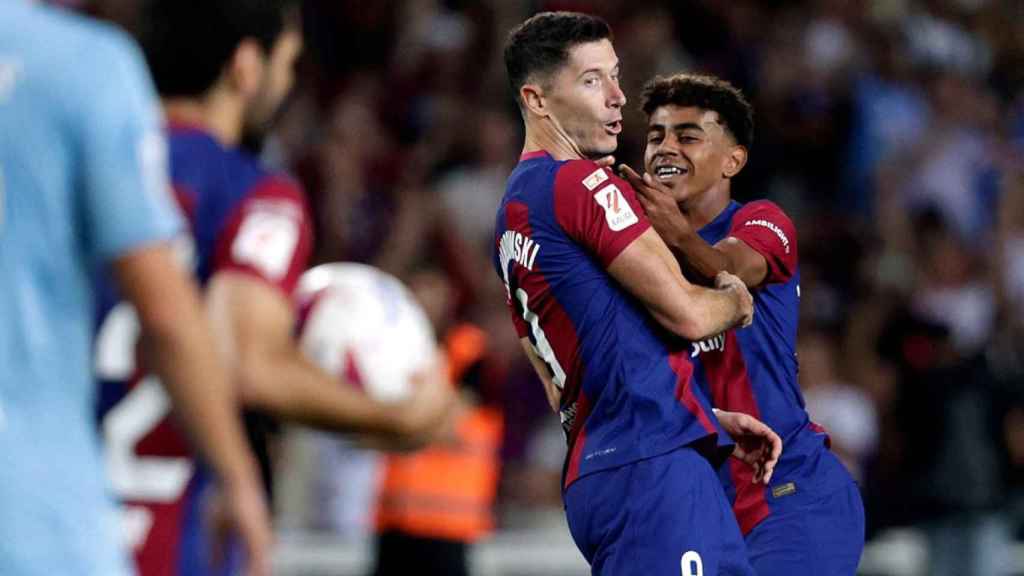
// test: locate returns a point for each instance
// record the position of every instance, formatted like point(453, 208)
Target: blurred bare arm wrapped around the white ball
point(255, 321)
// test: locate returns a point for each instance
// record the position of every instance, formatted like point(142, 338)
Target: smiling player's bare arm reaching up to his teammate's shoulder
point(732, 255)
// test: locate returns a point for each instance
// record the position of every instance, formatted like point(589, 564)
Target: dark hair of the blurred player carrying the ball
point(188, 44)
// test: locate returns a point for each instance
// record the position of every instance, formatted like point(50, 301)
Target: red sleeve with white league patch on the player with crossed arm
point(598, 210)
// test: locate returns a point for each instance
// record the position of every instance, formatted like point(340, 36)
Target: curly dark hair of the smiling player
point(706, 93)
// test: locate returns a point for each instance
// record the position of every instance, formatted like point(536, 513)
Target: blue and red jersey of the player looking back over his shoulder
point(627, 387)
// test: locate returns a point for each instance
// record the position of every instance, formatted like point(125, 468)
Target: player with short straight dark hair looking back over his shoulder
point(606, 317)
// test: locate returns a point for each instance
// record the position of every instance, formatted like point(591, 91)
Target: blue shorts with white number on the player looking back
point(666, 515)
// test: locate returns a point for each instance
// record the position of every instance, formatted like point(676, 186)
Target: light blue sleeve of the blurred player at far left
point(126, 198)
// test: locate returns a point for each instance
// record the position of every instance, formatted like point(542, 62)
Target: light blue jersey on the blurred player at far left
point(82, 181)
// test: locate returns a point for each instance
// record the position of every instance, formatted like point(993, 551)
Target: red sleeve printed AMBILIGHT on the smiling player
point(766, 229)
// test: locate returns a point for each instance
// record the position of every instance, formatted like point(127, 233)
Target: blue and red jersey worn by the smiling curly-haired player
point(754, 371)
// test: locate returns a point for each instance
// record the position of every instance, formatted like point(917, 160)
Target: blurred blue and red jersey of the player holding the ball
point(243, 219)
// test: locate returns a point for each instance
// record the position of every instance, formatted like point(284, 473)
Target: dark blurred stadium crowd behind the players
point(891, 131)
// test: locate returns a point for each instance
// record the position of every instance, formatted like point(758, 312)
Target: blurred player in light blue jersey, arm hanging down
point(83, 185)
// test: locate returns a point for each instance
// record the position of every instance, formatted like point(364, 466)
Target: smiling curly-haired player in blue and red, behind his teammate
point(810, 519)
